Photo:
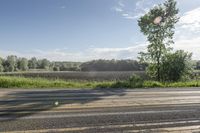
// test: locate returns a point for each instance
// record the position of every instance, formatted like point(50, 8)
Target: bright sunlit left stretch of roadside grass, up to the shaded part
point(22, 82)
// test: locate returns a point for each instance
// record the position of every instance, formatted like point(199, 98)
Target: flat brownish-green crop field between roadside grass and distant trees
point(72, 75)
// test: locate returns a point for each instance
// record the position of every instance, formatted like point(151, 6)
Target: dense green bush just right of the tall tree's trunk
point(176, 66)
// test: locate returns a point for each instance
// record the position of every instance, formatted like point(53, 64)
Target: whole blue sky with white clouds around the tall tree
point(82, 30)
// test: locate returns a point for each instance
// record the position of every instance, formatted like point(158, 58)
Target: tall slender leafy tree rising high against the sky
point(158, 26)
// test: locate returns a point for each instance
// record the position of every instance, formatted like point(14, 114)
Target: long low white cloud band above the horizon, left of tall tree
point(88, 54)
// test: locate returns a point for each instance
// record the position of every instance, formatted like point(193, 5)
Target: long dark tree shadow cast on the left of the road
point(17, 104)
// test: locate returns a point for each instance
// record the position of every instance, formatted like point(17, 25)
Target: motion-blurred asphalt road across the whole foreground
point(100, 110)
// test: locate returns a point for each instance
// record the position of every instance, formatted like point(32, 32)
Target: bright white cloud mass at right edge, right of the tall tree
point(187, 33)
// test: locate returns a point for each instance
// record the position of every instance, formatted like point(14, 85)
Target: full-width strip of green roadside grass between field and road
point(134, 82)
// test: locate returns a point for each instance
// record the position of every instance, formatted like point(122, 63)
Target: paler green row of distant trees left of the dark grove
point(13, 63)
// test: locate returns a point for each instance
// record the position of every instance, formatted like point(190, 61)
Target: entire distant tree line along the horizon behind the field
point(13, 63)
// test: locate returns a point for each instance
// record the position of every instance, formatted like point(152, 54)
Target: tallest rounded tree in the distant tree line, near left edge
point(10, 64)
